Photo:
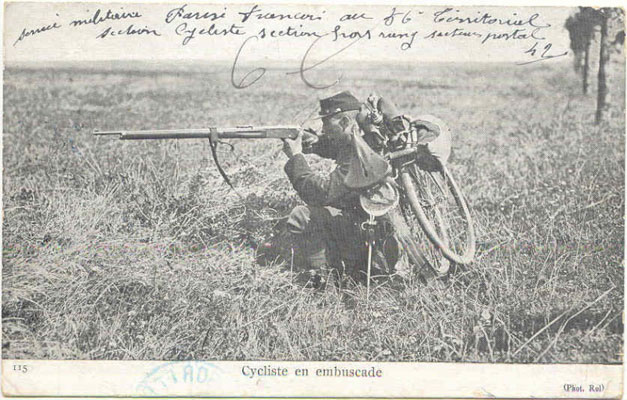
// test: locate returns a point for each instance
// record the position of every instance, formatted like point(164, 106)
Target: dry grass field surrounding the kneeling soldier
point(136, 250)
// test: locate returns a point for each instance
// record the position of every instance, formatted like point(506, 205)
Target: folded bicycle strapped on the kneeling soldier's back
point(431, 202)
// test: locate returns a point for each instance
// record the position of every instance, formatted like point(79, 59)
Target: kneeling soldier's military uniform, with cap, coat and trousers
point(327, 230)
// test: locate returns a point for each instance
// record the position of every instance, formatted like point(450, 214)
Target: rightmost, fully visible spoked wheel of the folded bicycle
point(442, 212)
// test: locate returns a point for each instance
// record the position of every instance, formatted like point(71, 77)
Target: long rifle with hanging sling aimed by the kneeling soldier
point(214, 134)
